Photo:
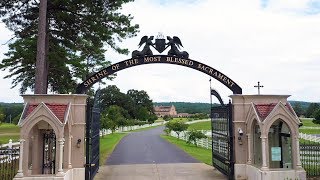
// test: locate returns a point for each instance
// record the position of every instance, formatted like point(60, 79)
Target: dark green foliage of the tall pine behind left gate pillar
point(77, 32)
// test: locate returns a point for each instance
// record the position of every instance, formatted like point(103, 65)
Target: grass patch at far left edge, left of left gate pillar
point(9, 131)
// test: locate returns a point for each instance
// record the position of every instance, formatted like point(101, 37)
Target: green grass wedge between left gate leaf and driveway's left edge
point(107, 145)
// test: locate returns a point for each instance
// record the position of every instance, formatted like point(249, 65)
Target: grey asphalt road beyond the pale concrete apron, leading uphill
point(147, 147)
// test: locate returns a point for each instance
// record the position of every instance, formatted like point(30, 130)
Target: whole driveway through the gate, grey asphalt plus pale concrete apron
point(146, 156)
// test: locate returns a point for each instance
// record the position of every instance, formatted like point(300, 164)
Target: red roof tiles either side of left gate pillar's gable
point(58, 110)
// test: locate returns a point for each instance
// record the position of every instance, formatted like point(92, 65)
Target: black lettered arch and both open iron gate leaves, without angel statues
point(93, 110)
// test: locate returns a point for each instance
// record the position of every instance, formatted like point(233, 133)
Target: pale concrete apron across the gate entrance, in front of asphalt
point(173, 171)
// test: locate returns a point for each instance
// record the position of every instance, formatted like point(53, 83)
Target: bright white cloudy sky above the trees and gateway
point(276, 42)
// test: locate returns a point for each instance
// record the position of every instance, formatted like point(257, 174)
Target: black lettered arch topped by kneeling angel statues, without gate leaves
point(145, 56)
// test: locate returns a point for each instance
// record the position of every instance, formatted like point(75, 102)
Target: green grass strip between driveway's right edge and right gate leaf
point(201, 154)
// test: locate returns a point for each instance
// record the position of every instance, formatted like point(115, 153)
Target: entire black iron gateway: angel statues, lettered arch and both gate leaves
point(175, 56)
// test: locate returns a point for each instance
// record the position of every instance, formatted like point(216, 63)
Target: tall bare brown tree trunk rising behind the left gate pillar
point(41, 65)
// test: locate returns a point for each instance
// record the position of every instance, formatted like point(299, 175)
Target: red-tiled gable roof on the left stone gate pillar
point(59, 110)
